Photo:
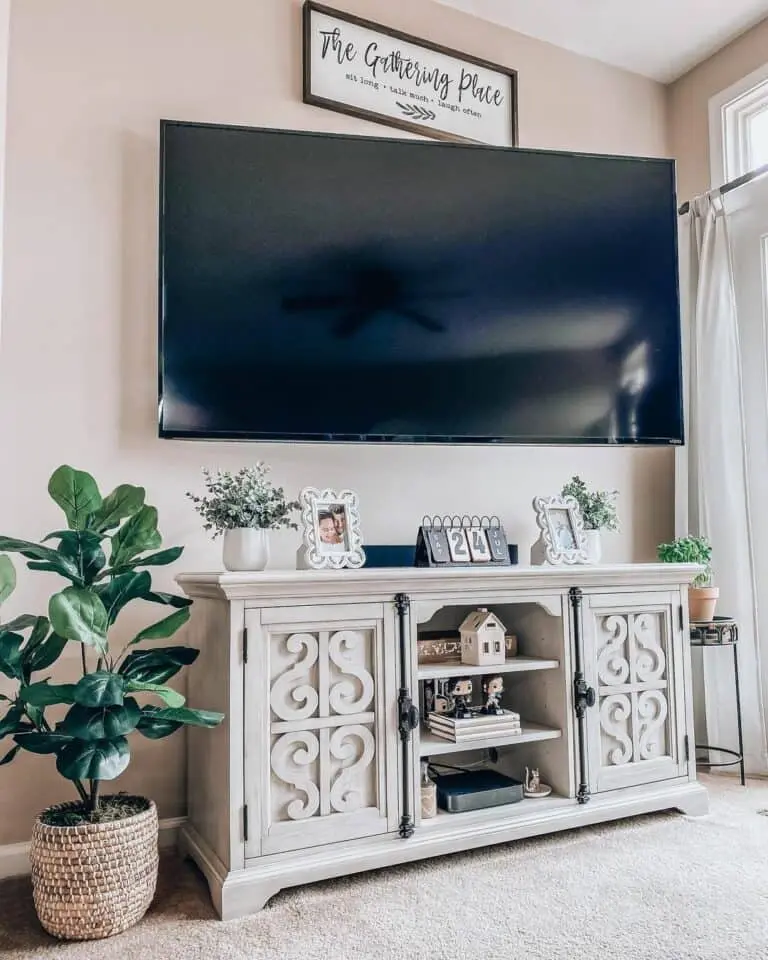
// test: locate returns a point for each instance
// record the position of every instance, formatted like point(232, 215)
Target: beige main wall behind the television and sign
point(89, 81)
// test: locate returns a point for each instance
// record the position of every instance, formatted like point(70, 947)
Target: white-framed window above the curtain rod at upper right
point(739, 128)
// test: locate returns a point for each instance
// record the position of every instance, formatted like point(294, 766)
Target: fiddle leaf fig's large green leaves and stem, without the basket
point(100, 554)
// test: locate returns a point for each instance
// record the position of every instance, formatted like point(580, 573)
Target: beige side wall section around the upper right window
point(688, 113)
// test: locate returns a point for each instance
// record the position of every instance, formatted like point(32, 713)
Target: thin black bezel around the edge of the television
point(427, 440)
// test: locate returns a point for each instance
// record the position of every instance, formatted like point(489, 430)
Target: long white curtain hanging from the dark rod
point(721, 504)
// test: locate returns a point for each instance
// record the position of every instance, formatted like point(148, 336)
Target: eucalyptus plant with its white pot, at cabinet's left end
point(244, 506)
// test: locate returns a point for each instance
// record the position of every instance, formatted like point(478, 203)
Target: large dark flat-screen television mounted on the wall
point(337, 288)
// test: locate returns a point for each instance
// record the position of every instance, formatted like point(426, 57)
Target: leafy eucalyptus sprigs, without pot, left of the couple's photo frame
point(246, 498)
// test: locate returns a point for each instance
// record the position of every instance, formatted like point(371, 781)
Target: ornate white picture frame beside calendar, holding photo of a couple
point(331, 528)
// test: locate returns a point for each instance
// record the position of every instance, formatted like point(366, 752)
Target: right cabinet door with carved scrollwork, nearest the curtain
point(634, 661)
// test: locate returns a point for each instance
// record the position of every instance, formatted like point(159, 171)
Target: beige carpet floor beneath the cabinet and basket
point(661, 887)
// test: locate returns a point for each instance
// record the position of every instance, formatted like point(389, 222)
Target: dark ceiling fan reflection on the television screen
point(370, 289)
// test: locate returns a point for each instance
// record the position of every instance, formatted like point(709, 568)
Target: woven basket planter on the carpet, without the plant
point(95, 880)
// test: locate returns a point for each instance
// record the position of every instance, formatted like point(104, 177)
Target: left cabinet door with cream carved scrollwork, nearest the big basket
point(318, 698)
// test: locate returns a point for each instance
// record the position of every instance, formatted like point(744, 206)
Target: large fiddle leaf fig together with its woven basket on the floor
point(106, 880)
